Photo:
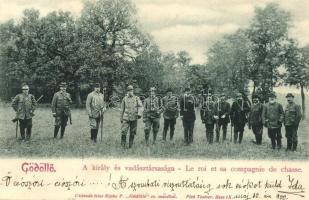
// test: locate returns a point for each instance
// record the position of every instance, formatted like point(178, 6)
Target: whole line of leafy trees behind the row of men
point(106, 44)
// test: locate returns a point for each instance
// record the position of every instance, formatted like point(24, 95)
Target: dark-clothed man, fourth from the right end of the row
point(240, 109)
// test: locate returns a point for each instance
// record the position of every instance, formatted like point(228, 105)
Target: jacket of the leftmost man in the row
point(24, 106)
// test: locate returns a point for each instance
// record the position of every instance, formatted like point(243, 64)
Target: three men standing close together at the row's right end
point(272, 116)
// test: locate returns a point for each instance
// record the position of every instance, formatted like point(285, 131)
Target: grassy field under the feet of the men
point(77, 144)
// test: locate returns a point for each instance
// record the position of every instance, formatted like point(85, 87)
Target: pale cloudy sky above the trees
point(182, 24)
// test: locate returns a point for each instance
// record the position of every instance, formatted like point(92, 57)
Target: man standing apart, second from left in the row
point(61, 109)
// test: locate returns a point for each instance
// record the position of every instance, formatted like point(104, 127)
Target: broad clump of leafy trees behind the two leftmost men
point(43, 52)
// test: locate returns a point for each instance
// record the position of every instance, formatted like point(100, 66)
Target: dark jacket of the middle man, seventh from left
point(187, 111)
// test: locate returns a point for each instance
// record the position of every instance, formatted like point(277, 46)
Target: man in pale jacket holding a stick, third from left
point(95, 106)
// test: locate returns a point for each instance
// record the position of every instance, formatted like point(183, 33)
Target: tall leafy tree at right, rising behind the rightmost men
point(268, 33)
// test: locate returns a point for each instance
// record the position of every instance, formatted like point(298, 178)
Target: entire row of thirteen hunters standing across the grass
point(214, 113)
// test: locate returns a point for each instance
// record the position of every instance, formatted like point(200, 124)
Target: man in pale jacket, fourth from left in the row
point(131, 111)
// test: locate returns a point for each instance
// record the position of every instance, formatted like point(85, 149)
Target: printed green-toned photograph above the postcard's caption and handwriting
point(160, 79)
